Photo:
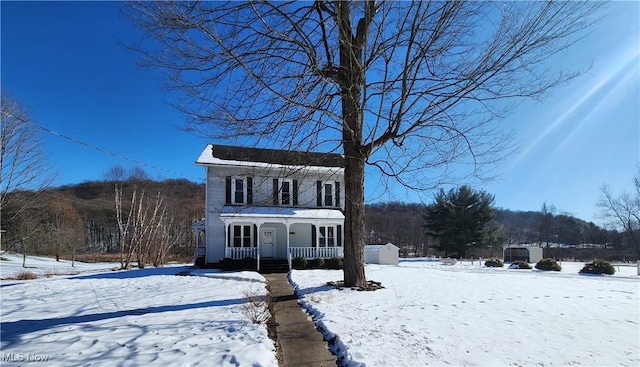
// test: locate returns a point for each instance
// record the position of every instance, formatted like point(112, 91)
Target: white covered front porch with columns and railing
point(282, 233)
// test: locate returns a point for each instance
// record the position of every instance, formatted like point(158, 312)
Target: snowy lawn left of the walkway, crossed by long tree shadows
point(131, 318)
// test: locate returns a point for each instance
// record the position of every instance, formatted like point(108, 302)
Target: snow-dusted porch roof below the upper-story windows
point(262, 213)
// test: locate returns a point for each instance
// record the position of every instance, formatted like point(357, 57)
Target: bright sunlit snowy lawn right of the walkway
point(464, 315)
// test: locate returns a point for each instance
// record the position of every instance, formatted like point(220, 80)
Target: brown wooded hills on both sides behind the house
point(95, 227)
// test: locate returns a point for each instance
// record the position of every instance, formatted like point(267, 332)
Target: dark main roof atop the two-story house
point(275, 156)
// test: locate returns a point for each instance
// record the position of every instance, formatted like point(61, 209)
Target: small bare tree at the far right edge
point(623, 211)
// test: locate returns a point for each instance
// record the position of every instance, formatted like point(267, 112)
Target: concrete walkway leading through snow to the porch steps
point(300, 344)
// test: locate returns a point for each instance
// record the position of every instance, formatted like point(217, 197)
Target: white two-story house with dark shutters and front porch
point(271, 204)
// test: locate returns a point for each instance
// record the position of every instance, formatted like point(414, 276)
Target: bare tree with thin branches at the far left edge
point(23, 163)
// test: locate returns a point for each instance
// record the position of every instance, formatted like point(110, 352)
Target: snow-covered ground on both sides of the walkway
point(428, 314)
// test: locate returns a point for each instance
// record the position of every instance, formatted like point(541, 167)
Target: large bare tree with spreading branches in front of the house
point(412, 88)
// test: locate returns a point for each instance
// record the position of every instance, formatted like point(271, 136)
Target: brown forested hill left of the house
point(83, 216)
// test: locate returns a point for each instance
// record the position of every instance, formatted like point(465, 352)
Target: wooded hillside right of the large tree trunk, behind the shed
point(402, 224)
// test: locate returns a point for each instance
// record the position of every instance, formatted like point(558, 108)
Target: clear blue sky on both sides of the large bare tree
point(63, 61)
